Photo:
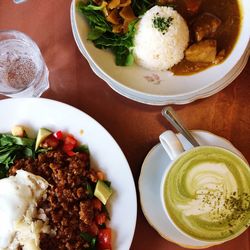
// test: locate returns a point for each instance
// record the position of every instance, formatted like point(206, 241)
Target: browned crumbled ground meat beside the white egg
point(69, 204)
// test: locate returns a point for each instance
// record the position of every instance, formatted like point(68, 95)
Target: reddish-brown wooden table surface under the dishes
point(134, 126)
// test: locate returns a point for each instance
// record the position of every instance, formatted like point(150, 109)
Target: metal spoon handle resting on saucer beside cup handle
point(171, 116)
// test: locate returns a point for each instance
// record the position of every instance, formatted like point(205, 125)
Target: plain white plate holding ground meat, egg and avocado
point(105, 153)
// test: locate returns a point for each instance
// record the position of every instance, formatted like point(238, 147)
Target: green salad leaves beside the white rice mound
point(102, 36)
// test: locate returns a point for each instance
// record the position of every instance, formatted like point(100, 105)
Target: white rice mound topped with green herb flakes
point(156, 50)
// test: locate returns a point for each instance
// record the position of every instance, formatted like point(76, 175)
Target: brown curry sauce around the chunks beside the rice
point(227, 11)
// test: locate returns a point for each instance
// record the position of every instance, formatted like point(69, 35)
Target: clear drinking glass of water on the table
point(23, 72)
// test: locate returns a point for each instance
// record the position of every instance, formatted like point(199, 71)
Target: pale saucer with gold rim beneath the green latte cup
point(152, 170)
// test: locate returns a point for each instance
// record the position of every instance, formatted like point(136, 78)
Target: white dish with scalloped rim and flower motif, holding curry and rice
point(160, 88)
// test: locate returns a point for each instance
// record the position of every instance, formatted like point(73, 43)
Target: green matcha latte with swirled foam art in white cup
point(207, 194)
